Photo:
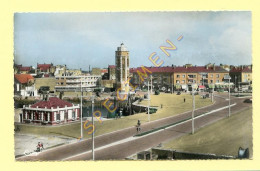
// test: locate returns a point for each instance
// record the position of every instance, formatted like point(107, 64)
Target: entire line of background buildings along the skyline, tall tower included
point(163, 78)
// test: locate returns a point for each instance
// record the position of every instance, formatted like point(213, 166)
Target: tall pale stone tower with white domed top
point(122, 68)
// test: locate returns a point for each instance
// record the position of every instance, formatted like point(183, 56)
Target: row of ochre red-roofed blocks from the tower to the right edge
point(182, 77)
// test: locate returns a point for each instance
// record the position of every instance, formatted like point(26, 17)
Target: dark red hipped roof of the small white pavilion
point(52, 102)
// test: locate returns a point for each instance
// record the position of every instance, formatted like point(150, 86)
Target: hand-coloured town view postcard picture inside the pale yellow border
point(173, 85)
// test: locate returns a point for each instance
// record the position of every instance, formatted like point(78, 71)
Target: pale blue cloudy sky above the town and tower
point(82, 39)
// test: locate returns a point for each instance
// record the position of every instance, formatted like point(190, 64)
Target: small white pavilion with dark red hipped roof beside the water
point(50, 111)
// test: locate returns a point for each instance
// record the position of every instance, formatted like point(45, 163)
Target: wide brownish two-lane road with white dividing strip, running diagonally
point(121, 144)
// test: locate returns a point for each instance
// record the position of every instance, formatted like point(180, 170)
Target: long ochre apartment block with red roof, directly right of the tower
point(182, 77)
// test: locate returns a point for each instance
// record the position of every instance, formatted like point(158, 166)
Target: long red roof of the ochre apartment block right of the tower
point(193, 69)
